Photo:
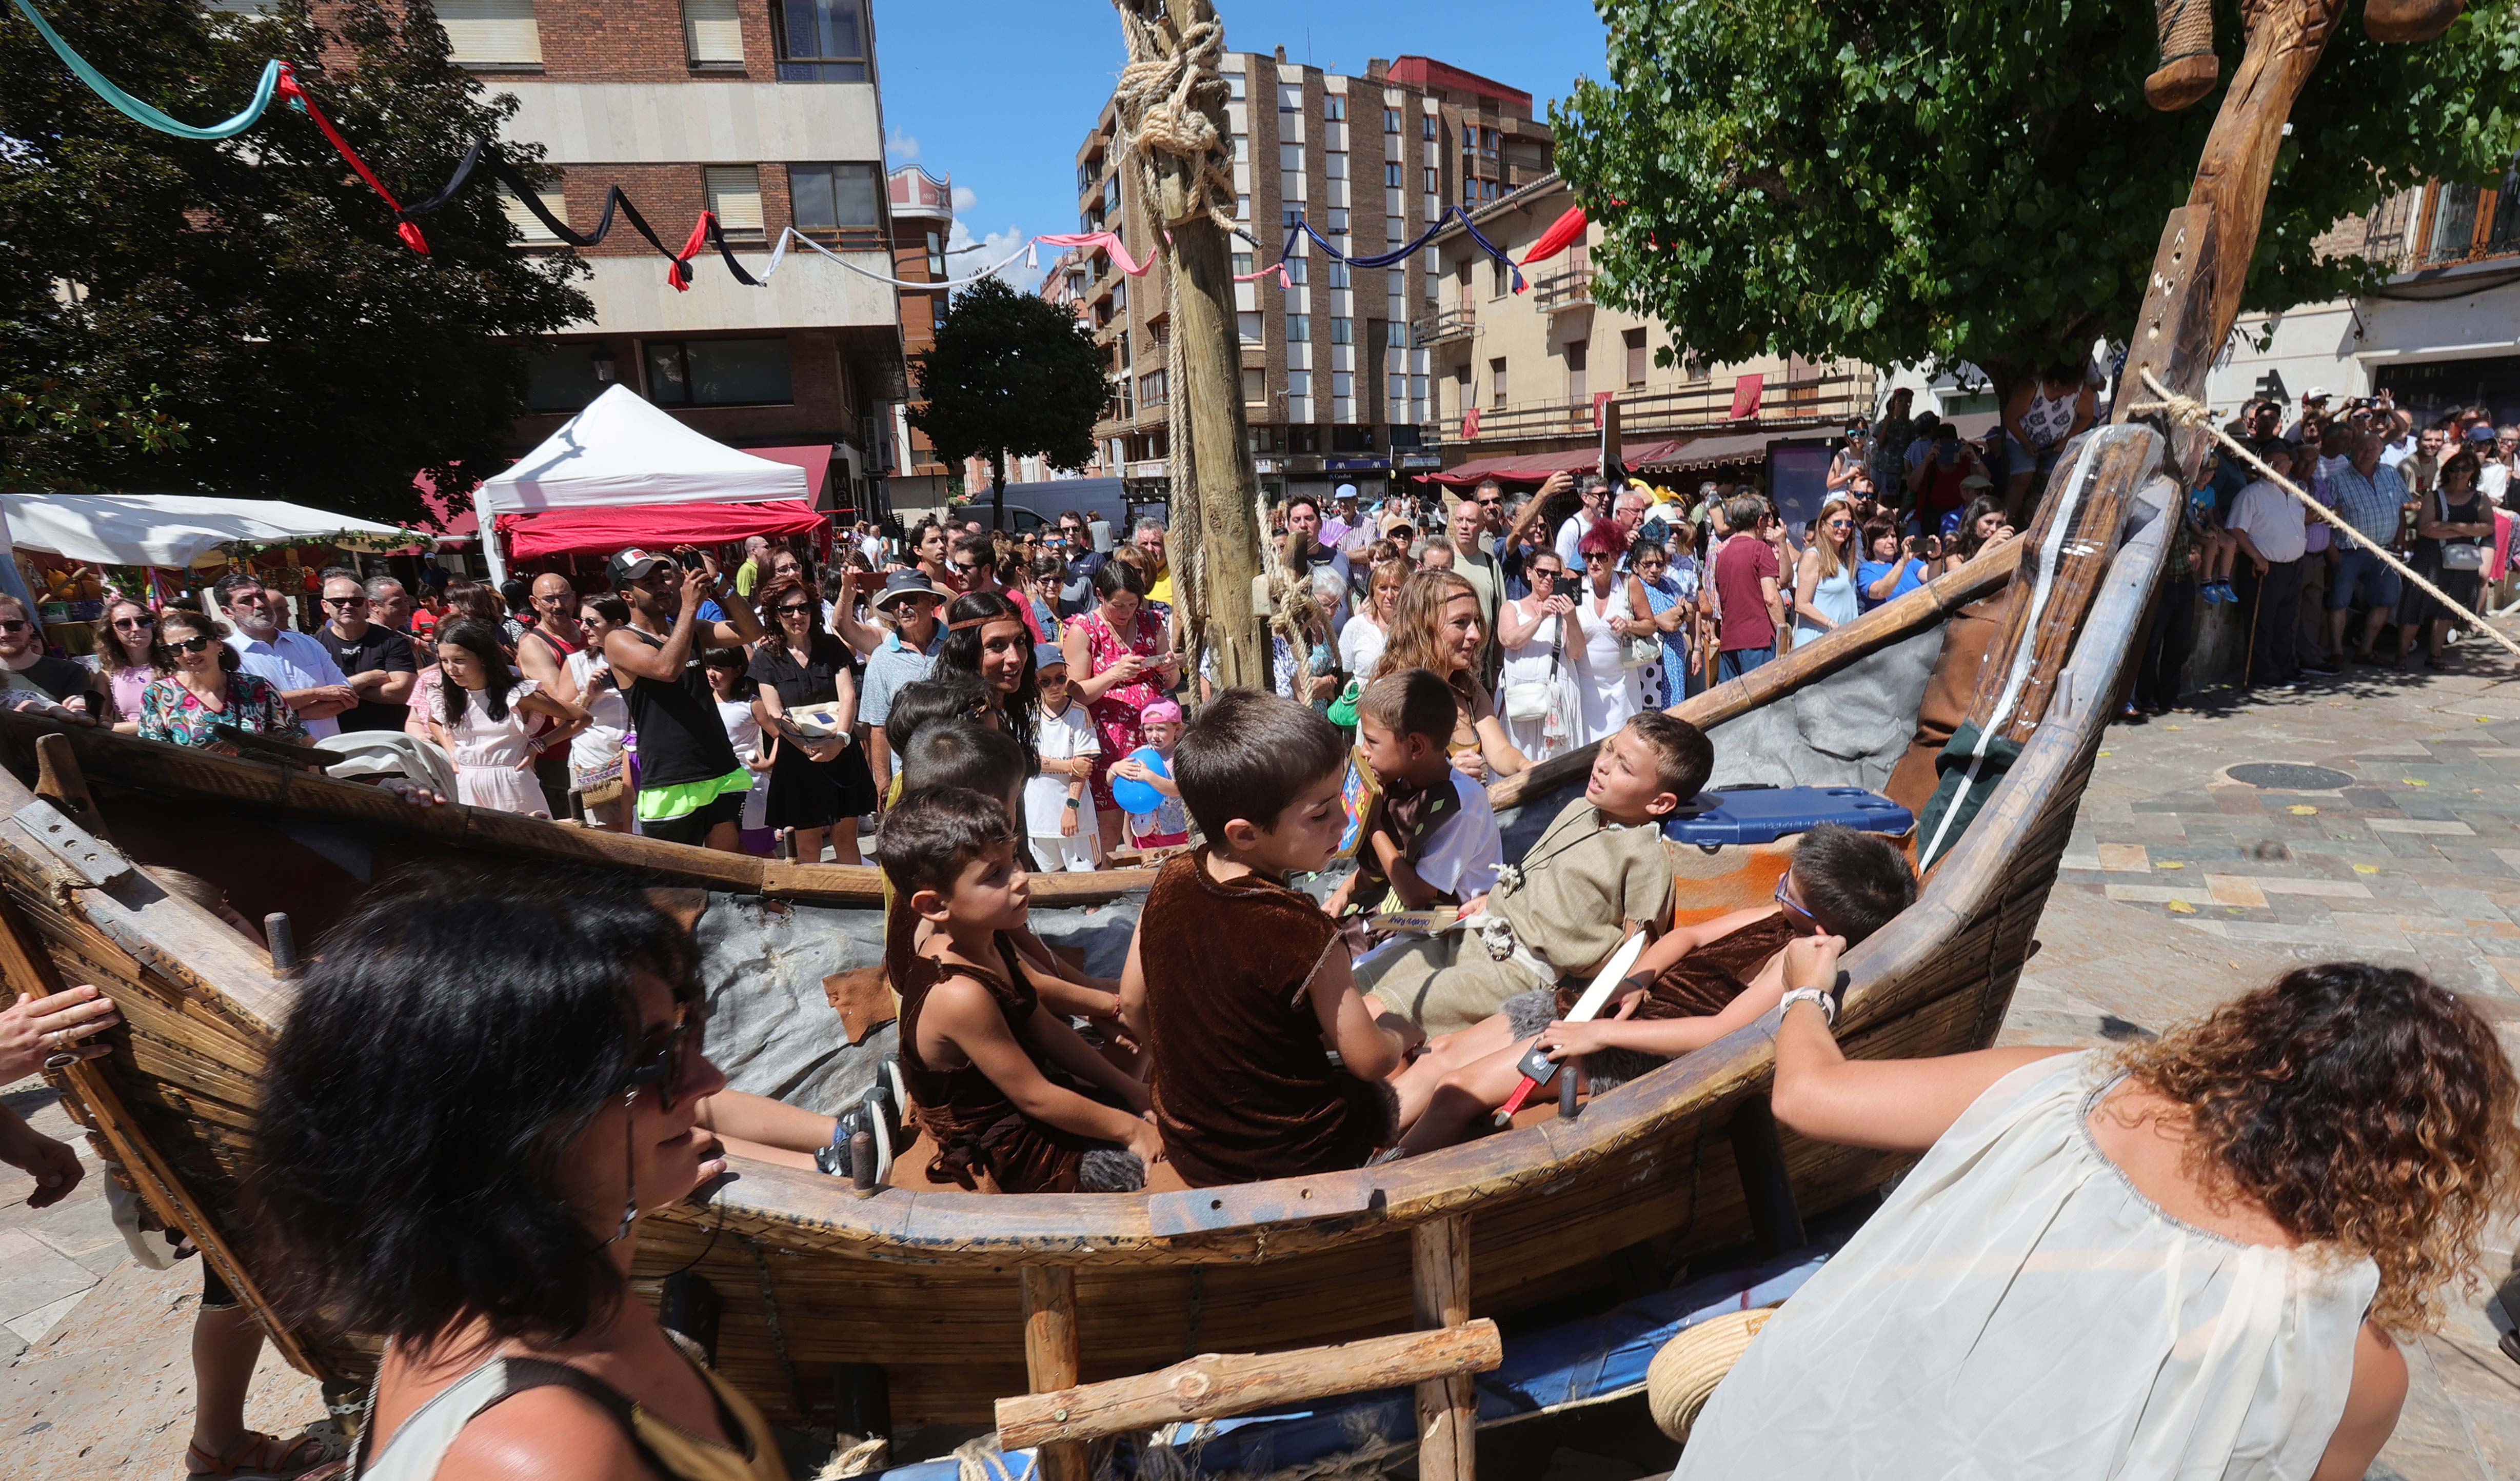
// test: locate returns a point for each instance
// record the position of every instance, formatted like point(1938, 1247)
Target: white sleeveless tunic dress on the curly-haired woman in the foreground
point(2017, 1311)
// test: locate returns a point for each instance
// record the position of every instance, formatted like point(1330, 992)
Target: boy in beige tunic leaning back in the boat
point(1594, 875)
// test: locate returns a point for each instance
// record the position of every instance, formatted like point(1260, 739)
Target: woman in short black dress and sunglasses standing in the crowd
point(820, 785)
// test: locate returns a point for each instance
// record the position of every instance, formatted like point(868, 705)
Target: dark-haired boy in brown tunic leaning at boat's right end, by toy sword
point(1687, 991)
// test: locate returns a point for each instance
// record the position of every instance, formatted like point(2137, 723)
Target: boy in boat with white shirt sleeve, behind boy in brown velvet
point(1435, 837)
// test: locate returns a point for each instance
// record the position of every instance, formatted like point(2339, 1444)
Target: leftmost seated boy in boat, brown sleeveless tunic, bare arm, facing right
point(989, 1067)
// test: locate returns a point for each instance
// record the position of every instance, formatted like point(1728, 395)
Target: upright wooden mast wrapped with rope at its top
point(1216, 528)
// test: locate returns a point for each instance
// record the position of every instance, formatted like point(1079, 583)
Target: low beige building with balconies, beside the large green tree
point(1521, 379)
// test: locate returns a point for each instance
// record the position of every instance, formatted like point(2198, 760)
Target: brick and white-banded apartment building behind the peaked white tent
point(770, 117)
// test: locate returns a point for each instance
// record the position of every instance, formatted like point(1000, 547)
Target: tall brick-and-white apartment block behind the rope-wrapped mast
point(1334, 387)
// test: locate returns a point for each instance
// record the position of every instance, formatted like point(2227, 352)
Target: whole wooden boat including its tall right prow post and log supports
point(956, 1298)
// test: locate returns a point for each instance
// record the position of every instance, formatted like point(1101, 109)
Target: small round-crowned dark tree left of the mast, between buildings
point(1012, 377)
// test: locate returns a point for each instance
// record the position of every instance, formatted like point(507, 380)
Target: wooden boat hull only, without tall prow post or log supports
point(936, 1288)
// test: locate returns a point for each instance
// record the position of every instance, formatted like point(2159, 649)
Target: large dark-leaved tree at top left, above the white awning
point(258, 283)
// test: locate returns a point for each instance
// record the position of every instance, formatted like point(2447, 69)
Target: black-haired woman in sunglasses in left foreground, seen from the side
point(485, 1087)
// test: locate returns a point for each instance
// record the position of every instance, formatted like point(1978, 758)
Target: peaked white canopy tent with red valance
point(616, 457)
